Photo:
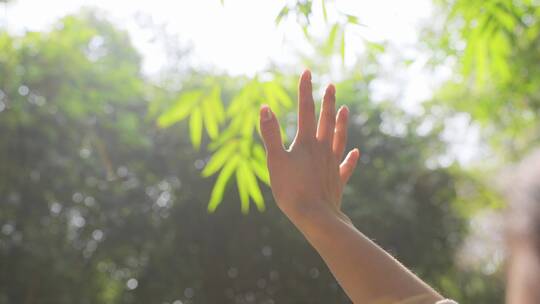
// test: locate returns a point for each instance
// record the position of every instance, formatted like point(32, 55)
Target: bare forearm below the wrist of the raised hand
point(365, 271)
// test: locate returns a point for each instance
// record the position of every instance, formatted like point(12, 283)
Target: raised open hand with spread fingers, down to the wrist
point(307, 180)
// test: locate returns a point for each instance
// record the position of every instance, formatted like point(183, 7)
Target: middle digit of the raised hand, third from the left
point(327, 118)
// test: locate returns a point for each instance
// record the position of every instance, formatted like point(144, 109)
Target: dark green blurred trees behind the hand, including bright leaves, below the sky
point(99, 205)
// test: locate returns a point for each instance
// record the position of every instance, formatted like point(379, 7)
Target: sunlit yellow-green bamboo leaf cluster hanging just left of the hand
point(234, 149)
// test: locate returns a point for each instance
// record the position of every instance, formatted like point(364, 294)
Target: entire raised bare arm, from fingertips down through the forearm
point(307, 182)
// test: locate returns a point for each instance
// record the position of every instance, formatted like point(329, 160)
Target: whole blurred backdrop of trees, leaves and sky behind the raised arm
point(131, 170)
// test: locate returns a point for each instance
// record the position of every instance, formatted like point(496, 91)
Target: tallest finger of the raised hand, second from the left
point(306, 108)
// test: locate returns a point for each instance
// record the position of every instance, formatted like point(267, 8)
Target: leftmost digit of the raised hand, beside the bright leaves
point(270, 133)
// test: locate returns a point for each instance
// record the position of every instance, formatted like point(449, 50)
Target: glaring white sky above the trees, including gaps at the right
point(241, 37)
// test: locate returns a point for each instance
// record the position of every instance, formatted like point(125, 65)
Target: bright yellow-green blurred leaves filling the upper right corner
point(495, 45)
